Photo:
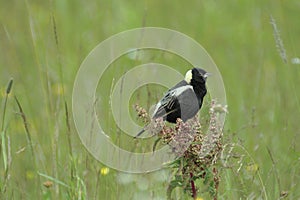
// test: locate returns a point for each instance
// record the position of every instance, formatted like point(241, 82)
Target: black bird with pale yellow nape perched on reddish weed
point(184, 99)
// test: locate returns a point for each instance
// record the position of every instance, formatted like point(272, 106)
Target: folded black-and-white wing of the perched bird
point(169, 99)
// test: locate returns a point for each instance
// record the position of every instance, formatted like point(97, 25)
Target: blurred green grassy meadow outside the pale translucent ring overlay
point(43, 43)
